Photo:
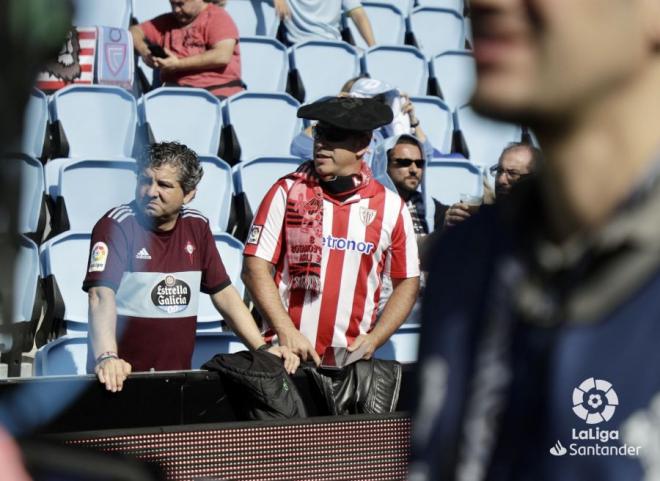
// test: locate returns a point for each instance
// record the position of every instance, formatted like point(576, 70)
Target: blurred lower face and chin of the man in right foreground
point(549, 59)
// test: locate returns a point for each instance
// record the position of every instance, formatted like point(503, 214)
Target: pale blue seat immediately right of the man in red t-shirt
point(264, 64)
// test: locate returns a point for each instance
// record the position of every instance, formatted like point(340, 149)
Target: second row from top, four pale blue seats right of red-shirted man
point(302, 70)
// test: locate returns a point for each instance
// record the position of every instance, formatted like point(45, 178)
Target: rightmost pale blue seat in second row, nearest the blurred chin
point(456, 74)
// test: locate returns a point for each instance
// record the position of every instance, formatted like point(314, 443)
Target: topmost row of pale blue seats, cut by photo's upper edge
point(434, 25)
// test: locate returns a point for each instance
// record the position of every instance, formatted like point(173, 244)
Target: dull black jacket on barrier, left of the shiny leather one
point(257, 385)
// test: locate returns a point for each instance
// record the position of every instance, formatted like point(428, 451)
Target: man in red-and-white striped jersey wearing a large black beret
point(331, 231)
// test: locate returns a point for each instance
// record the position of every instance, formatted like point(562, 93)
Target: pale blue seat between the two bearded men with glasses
point(446, 178)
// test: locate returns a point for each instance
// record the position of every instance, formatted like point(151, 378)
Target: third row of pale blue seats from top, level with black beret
point(253, 124)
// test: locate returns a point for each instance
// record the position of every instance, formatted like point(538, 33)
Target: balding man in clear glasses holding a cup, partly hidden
point(516, 162)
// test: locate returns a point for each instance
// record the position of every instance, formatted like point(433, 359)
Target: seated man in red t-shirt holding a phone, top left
point(200, 41)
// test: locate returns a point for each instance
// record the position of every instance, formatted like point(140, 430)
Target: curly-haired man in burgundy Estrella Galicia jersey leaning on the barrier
point(149, 260)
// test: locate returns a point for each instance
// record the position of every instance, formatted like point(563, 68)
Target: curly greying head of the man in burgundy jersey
point(167, 179)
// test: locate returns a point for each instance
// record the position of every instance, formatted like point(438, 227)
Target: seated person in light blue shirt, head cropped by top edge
point(321, 19)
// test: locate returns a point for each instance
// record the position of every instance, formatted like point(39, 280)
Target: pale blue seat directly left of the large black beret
point(264, 123)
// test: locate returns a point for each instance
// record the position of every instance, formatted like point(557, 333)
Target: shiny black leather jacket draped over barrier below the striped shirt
point(365, 387)
